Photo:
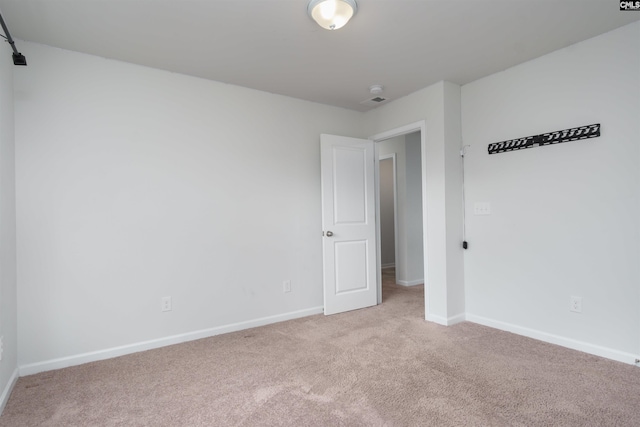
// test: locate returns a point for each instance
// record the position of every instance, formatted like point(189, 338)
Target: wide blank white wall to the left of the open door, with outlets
point(135, 183)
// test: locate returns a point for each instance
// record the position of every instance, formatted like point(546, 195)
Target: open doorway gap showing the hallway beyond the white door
point(400, 208)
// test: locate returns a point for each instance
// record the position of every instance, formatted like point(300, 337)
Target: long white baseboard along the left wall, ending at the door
point(64, 362)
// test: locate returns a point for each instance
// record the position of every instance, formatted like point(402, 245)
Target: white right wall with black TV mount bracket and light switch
point(564, 218)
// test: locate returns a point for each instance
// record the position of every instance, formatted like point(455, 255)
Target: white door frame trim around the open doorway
point(420, 126)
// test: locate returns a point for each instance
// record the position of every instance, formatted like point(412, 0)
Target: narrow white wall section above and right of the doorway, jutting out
point(444, 288)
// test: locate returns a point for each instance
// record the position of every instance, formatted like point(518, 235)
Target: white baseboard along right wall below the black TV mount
point(585, 347)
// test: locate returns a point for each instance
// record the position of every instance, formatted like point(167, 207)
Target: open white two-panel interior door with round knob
point(349, 225)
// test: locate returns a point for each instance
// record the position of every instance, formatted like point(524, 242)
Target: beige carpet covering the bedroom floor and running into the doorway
point(383, 366)
